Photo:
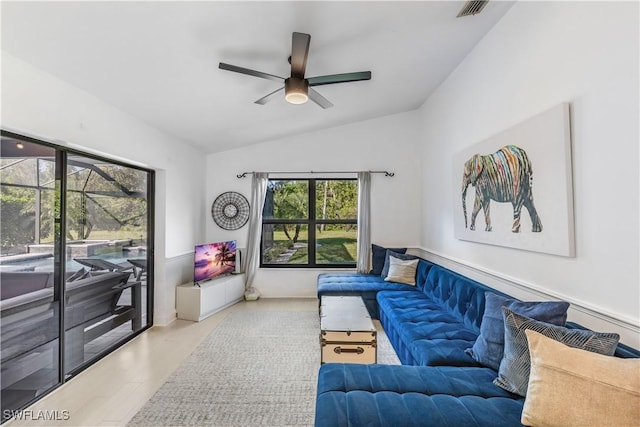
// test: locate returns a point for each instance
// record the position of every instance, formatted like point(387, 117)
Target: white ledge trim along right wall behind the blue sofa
point(580, 312)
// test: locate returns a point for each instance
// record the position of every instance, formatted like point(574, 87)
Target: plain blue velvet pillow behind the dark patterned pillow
point(489, 347)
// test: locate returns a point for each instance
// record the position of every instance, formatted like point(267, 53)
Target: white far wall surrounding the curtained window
point(388, 143)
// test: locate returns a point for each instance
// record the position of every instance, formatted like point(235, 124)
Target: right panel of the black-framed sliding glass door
point(106, 238)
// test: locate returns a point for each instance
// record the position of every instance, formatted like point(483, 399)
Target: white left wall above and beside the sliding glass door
point(40, 105)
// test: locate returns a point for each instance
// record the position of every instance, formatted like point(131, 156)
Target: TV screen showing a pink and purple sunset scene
point(214, 259)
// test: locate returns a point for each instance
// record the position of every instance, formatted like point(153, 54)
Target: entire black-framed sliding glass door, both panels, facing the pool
point(76, 263)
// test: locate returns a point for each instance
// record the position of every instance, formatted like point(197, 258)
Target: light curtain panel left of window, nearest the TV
point(258, 194)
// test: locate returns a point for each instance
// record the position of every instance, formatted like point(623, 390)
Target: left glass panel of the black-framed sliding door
point(30, 304)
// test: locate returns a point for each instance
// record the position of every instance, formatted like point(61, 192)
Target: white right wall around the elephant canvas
point(539, 55)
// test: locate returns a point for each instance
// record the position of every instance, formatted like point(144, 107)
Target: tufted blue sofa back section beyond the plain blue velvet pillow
point(457, 294)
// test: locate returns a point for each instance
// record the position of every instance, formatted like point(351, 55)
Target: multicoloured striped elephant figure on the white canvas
point(504, 176)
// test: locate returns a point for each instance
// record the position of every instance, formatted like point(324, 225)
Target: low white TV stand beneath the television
point(199, 302)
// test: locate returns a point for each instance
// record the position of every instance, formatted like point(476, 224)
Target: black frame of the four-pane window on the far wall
point(312, 223)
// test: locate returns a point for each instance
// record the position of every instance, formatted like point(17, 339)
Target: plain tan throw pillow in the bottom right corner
point(572, 387)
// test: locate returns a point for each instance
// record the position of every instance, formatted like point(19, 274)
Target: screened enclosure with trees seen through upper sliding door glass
point(105, 201)
